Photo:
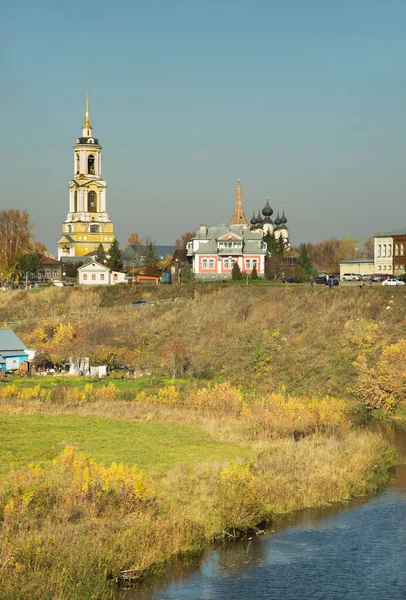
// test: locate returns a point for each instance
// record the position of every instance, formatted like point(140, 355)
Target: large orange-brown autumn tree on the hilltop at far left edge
point(15, 241)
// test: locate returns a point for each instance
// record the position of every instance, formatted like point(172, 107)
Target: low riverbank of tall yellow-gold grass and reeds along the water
point(71, 526)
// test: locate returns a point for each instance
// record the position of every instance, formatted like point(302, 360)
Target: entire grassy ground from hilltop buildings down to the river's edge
point(238, 412)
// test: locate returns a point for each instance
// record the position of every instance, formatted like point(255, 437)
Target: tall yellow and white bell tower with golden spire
point(87, 223)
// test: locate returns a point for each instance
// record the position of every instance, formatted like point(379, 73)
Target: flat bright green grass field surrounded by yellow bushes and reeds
point(153, 447)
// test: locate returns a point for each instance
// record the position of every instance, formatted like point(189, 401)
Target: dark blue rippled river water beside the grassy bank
point(351, 552)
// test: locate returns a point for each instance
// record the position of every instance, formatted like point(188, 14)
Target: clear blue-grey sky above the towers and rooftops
point(306, 98)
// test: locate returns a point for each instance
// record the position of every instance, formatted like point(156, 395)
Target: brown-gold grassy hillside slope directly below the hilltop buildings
point(262, 337)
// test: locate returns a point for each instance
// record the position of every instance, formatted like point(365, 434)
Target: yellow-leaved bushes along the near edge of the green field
point(73, 482)
